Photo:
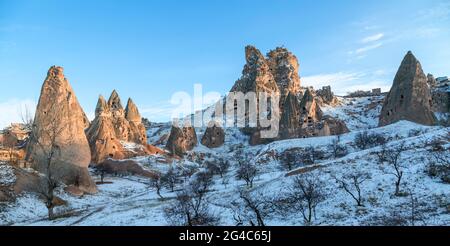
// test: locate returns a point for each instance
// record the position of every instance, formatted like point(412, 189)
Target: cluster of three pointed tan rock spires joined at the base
point(115, 130)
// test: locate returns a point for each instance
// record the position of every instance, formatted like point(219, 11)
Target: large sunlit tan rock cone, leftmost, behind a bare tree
point(60, 120)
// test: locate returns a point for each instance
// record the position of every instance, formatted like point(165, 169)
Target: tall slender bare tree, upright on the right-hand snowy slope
point(393, 158)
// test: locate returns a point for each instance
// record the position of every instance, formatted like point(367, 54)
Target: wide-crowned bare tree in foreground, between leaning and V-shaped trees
point(304, 195)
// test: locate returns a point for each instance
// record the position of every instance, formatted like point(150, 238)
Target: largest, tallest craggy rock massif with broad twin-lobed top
point(278, 73)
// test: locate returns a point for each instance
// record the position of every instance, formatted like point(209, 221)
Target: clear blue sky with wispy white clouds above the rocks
point(149, 50)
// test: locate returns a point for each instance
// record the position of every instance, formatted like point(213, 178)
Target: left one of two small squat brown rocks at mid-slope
point(181, 140)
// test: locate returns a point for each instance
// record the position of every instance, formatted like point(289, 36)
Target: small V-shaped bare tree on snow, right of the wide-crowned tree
point(351, 184)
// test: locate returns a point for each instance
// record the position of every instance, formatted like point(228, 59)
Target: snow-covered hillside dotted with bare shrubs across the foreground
point(423, 199)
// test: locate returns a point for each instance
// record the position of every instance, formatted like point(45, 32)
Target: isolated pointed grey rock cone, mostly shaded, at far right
point(409, 97)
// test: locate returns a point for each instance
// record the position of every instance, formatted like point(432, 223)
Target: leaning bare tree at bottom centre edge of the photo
point(252, 208)
